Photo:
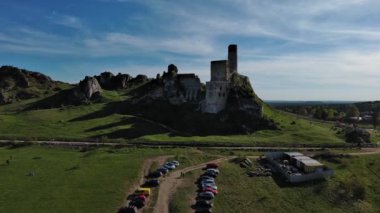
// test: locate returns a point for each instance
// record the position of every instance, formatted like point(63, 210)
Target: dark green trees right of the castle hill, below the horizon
point(363, 112)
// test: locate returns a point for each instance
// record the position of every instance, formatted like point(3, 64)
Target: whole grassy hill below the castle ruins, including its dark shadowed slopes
point(115, 117)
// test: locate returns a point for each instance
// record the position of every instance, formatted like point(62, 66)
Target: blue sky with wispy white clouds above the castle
point(290, 49)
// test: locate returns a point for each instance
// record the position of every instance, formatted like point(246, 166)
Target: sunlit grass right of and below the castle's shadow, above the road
point(301, 132)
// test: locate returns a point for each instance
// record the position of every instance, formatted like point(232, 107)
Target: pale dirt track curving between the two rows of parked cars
point(169, 185)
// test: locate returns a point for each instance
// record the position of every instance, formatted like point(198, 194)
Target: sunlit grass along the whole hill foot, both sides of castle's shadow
point(99, 121)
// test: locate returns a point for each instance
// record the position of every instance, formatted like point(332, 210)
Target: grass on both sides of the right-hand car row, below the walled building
point(357, 178)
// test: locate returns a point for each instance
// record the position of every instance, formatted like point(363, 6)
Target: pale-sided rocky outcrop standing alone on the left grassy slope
point(88, 89)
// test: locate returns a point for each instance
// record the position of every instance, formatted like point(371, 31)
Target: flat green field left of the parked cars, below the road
point(67, 180)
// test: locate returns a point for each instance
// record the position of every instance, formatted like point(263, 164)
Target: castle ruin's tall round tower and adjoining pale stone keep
point(217, 88)
